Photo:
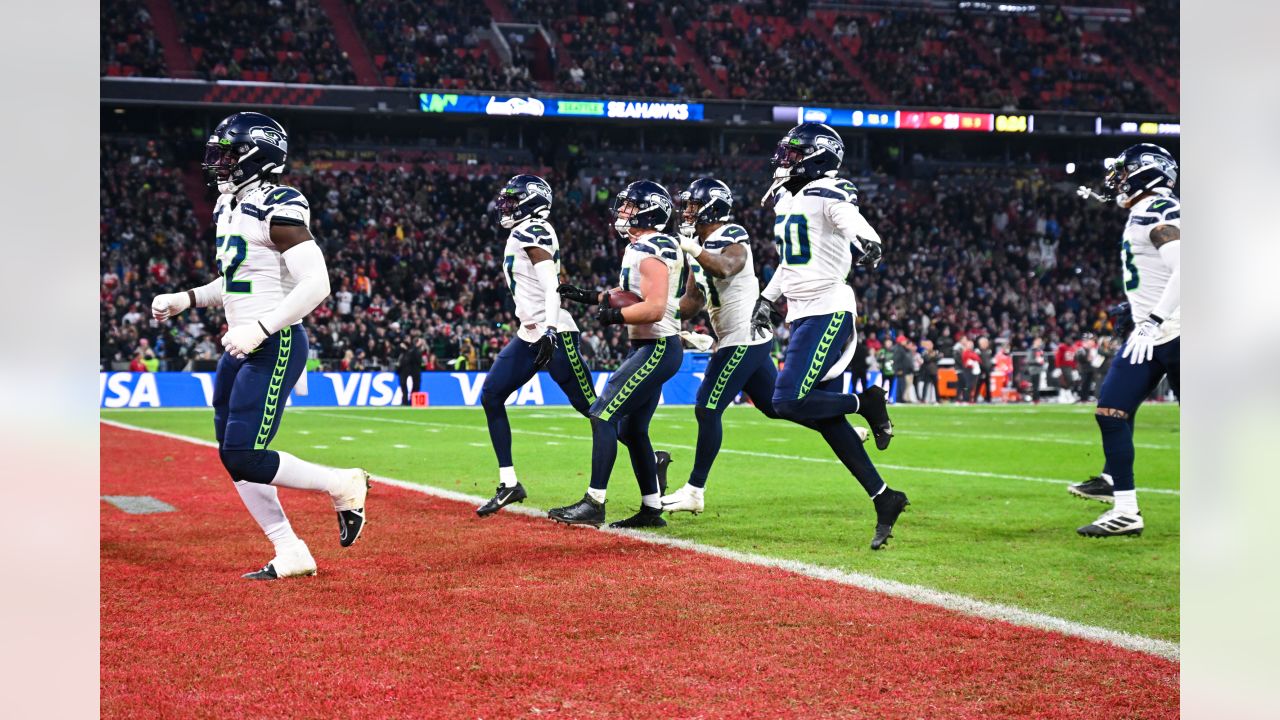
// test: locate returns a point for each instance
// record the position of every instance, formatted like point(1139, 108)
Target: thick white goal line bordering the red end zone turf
point(917, 594)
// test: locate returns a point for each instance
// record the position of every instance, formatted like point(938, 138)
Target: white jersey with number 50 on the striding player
point(816, 233)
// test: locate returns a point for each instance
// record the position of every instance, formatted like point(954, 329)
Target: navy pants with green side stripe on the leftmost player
point(249, 403)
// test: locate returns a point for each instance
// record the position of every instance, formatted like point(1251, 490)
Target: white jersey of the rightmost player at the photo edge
point(1145, 271)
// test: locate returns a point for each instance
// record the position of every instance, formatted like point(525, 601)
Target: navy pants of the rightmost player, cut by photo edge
point(1123, 391)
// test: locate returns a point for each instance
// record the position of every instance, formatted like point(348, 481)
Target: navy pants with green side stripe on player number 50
point(799, 397)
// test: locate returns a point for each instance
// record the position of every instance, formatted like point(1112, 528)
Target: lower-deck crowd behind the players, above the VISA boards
point(988, 257)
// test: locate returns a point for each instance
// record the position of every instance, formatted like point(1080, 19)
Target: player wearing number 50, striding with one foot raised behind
point(819, 231)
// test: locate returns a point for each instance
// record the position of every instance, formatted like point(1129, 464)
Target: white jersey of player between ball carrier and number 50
point(730, 302)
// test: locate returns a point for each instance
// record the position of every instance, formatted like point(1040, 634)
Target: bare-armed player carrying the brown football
point(653, 268)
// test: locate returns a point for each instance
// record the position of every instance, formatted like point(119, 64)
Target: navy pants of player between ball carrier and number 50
point(740, 368)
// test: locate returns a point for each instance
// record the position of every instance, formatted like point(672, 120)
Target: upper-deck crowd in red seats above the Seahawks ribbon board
point(767, 51)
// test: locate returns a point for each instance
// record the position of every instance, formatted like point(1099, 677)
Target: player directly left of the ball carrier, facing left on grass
point(547, 336)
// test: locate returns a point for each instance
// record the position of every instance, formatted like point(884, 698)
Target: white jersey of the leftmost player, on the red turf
point(255, 280)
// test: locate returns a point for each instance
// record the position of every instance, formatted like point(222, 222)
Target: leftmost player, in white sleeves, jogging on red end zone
point(272, 275)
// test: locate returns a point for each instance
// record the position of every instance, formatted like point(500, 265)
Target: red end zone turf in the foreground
point(438, 614)
